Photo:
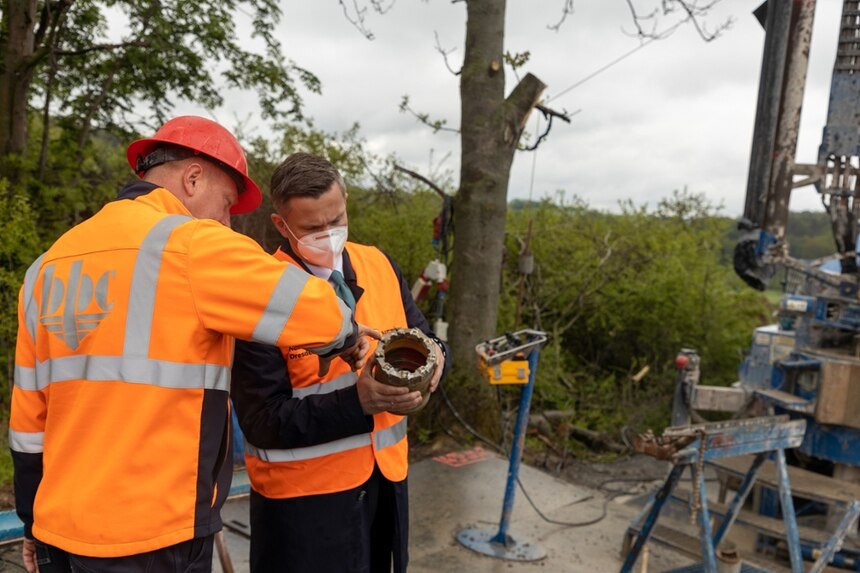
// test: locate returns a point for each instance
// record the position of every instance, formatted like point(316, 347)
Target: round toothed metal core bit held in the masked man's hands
point(406, 357)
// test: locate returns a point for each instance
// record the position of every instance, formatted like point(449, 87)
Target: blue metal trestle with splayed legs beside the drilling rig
point(759, 436)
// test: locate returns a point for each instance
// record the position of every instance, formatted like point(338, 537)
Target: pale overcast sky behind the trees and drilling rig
point(678, 112)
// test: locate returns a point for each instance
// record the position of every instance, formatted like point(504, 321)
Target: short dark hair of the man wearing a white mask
point(303, 175)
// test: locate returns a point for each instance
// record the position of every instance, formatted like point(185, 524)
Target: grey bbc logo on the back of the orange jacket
point(75, 305)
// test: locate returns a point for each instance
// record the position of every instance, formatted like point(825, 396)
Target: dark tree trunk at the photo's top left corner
point(16, 72)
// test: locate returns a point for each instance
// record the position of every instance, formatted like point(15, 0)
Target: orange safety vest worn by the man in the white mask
point(348, 462)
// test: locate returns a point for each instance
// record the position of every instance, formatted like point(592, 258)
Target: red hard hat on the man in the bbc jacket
point(208, 139)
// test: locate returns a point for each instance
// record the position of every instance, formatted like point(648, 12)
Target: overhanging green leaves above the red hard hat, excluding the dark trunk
point(169, 51)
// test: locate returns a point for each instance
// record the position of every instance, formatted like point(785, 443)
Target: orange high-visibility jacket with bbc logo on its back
point(122, 371)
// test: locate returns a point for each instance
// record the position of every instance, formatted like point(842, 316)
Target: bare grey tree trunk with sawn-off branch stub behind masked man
point(490, 129)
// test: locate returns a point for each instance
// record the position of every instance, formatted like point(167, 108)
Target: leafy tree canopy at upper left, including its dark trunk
point(122, 65)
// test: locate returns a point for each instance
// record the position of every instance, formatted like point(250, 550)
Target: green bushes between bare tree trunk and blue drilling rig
point(618, 293)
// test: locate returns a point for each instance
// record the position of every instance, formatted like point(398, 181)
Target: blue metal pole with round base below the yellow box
point(501, 544)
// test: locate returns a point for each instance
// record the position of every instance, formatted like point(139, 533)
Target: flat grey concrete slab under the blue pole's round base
point(446, 499)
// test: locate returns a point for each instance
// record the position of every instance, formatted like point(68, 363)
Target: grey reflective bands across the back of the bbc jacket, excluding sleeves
point(133, 366)
